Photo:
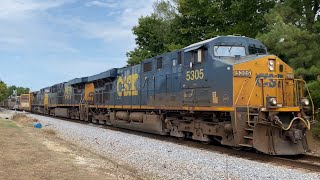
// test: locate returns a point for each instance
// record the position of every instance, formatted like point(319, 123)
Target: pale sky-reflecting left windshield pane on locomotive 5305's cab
point(229, 51)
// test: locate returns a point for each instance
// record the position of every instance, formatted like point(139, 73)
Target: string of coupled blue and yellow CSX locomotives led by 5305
point(226, 89)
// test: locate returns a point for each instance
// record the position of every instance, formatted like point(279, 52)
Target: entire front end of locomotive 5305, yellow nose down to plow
point(268, 101)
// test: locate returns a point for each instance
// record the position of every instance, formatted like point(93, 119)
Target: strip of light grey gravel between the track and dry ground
point(165, 160)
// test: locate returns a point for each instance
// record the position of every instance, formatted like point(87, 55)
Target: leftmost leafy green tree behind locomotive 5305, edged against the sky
point(152, 33)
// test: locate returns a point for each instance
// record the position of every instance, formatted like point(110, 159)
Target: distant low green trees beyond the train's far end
point(7, 91)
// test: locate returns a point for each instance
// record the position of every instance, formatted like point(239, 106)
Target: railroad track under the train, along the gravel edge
point(306, 161)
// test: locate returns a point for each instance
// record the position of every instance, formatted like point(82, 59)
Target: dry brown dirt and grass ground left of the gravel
point(29, 153)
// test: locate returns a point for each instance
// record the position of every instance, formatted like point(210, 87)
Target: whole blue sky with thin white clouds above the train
point(44, 42)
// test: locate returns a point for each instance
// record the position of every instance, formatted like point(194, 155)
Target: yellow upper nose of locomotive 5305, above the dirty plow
point(263, 82)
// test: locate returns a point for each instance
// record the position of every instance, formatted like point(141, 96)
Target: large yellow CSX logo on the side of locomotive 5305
point(126, 86)
